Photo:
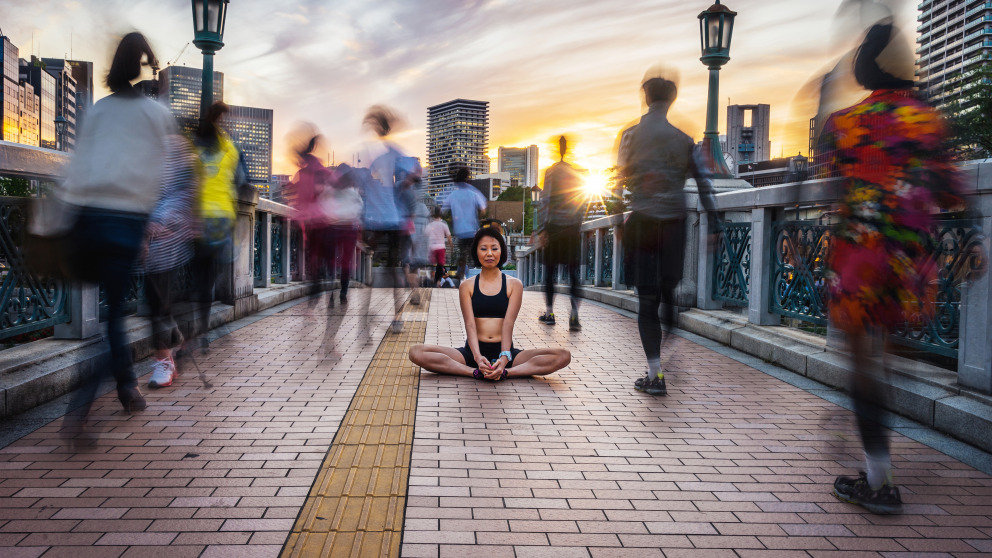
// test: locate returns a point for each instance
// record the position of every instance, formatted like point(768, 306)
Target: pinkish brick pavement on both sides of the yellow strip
point(732, 463)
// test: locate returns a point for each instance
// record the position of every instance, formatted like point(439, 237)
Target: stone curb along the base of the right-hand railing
point(926, 394)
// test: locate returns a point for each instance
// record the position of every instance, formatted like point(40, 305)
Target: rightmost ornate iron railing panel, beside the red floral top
point(933, 324)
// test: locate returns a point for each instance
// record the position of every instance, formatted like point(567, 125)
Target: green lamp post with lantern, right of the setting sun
point(716, 27)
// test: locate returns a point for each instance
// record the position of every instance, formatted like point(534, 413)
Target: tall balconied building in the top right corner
point(955, 40)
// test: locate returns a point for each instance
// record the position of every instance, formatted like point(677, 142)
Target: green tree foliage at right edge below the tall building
point(970, 116)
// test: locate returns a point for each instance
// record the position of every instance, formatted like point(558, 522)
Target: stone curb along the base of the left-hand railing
point(36, 373)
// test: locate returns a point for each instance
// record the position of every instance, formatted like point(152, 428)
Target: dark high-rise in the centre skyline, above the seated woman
point(457, 133)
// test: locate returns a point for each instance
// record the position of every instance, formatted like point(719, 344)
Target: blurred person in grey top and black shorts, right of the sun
point(659, 160)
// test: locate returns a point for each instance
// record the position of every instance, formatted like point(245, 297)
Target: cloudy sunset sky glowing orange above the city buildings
point(547, 67)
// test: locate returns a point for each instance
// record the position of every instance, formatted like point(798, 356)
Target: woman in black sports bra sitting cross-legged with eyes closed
point(490, 304)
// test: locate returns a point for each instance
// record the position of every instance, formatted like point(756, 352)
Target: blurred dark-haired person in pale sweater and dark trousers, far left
point(115, 181)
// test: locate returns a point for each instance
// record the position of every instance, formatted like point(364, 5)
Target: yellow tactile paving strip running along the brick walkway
point(357, 502)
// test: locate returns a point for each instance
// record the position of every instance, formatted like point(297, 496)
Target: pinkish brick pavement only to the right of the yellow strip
point(732, 462)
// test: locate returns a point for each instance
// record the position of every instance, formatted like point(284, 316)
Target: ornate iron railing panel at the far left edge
point(27, 302)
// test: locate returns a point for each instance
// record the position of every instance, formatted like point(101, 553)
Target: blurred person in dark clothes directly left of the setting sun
point(564, 208)
